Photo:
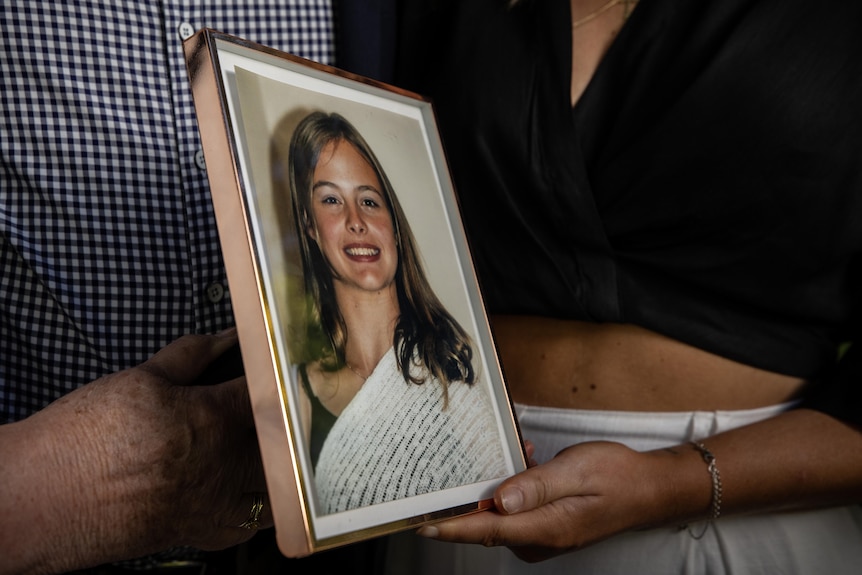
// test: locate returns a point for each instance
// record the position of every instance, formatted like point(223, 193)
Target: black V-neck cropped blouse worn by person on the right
point(707, 186)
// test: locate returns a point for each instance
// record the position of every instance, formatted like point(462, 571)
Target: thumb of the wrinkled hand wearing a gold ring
point(185, 359)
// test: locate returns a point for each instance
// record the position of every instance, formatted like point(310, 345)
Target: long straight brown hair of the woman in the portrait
point(425, 334)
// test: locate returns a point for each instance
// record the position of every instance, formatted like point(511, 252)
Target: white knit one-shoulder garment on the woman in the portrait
point(395, 440)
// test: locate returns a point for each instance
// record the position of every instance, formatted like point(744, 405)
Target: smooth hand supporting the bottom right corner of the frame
point(586, 493)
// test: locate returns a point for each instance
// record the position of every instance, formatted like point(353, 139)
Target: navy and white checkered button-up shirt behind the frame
point(108, 243)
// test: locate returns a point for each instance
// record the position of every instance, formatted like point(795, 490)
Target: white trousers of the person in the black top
point(827, 541)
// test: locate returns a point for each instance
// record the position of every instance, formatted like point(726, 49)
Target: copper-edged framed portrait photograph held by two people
point(378, 397)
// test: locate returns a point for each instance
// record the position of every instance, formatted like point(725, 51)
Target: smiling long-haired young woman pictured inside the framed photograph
point(390, 407)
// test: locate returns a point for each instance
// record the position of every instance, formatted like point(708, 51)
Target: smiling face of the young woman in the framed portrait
point(350, 219)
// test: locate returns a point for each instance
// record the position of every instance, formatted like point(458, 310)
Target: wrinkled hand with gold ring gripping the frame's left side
point(155, 460)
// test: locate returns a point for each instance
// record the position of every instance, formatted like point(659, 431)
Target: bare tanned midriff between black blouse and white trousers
point(577, 365)
